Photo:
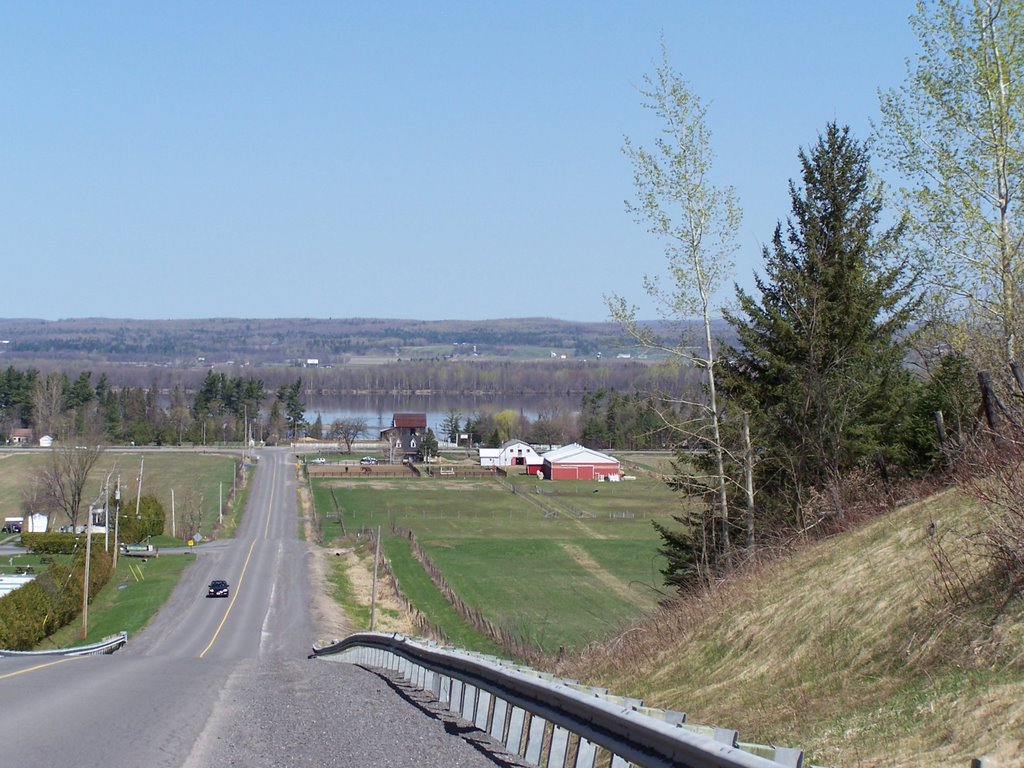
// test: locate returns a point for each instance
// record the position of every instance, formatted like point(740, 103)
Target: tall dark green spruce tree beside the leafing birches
point(820, 366)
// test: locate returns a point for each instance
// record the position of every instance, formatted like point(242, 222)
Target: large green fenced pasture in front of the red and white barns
point(559, 564)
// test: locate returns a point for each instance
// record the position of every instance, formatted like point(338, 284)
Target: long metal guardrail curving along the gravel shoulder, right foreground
point(553, 722)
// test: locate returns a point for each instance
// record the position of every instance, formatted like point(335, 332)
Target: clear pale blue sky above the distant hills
point(434, 160)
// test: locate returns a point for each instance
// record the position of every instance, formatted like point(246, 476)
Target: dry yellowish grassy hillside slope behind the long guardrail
point(846, 650)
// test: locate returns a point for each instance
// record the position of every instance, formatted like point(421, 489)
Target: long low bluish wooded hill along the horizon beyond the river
point(264, 343)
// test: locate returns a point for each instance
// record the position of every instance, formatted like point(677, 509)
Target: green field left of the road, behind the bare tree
point(195, 478)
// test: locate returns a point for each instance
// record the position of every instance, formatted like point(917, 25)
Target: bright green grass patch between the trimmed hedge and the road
point(131, 600)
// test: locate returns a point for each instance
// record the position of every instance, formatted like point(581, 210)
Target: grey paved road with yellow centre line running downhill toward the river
point(216, 682)
